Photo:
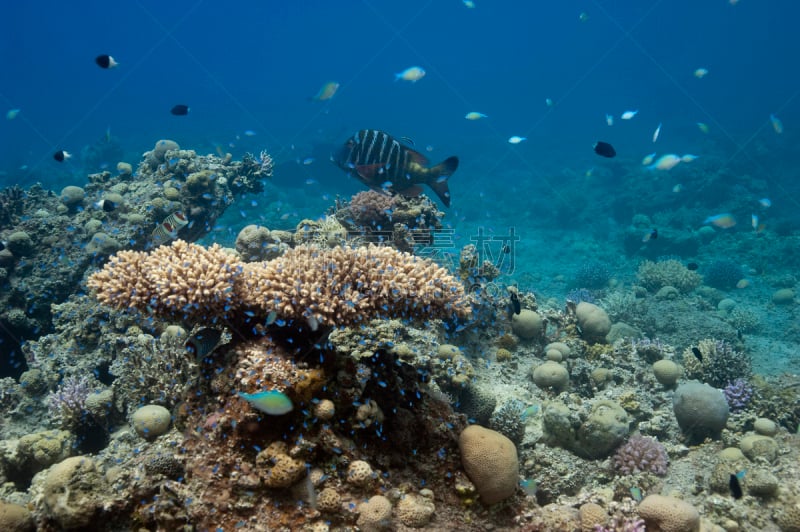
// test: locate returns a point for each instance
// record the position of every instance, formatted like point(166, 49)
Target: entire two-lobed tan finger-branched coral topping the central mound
point(334, 287)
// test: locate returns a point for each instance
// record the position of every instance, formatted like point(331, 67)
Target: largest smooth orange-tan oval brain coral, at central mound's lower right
point(491, 462)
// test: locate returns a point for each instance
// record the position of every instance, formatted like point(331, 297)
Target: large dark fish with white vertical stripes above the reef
point(384, 163)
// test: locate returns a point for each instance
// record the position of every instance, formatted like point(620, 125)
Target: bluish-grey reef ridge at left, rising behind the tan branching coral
point(53, 239)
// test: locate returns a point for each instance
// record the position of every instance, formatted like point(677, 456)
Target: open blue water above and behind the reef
point(252, 66)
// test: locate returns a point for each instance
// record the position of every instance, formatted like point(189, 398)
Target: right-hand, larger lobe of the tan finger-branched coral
point(350, 286)
